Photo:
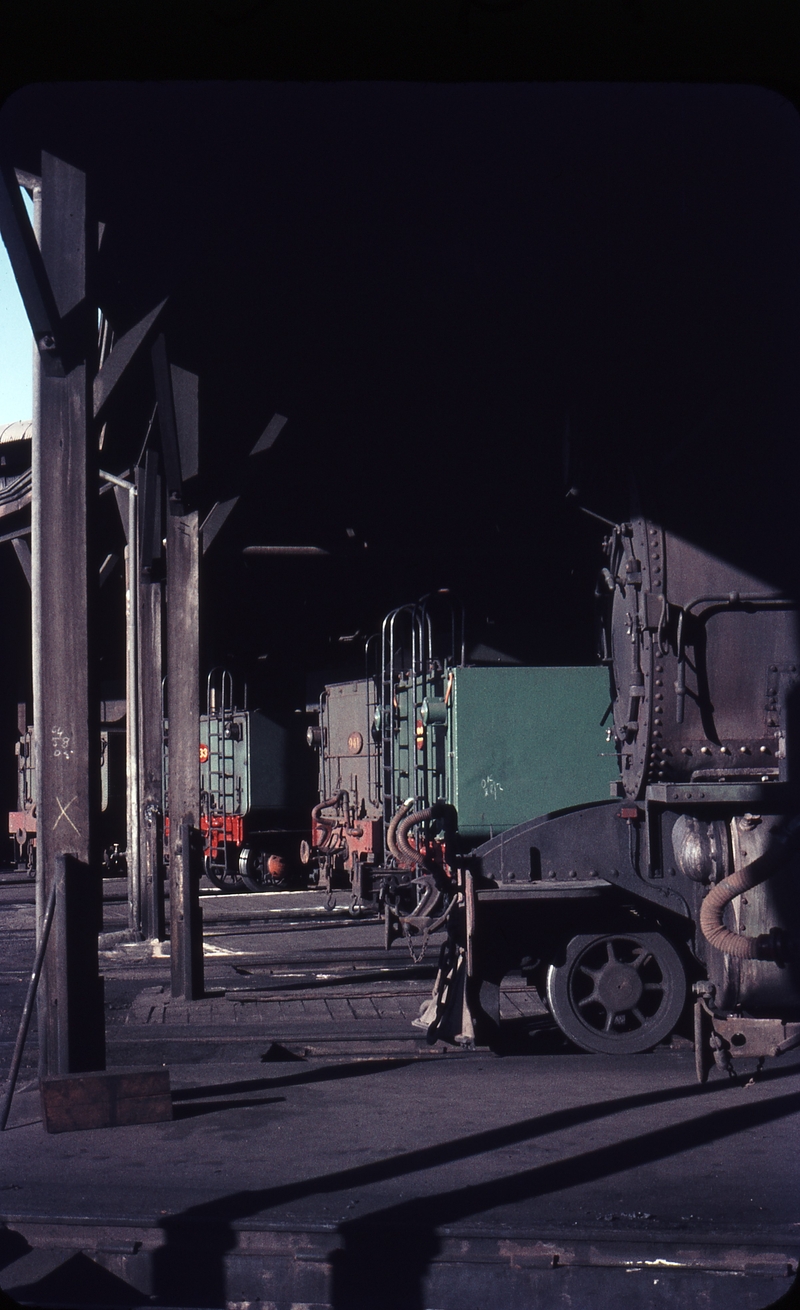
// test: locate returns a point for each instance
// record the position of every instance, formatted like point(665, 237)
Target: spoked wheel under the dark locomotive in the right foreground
point(617, 994)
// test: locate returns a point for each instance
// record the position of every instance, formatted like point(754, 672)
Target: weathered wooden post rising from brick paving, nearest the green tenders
point(184, 716)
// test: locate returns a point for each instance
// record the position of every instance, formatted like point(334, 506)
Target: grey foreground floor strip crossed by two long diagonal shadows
point(507, 1143)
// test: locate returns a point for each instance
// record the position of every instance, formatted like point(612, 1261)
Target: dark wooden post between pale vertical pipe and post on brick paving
point(151, 850)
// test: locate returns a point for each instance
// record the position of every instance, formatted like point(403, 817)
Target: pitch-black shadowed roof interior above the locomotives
point(467, 299)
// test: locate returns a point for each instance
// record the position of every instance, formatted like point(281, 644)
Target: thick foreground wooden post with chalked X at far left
point(66, 700)
